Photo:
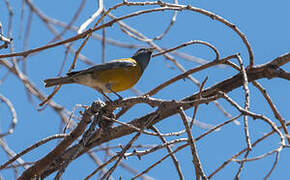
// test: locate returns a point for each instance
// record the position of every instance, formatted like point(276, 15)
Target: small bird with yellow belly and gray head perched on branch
point(111, 77)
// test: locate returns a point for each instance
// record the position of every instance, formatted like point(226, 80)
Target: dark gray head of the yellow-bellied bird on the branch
point(142, 56)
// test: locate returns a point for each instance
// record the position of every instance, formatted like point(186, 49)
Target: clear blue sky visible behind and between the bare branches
point(266, 26)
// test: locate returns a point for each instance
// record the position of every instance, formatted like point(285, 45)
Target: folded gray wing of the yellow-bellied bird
point(120, 63)
